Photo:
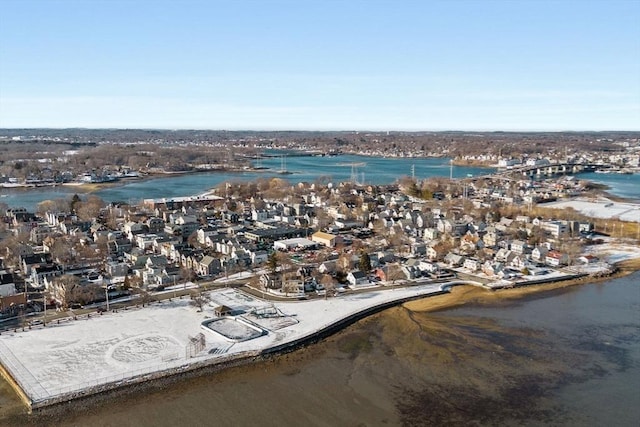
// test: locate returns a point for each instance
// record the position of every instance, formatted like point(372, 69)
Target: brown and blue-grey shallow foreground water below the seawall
point(569, 357)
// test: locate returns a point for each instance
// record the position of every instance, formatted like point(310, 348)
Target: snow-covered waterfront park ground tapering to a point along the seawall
point(62, 359)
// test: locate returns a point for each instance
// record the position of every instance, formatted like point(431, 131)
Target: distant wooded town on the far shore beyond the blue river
point(37, 157)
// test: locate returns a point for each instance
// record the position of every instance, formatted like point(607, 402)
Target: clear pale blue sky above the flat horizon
point(321, 65)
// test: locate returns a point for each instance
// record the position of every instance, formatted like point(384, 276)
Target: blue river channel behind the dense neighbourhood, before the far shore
point(370, 170)
